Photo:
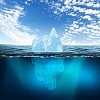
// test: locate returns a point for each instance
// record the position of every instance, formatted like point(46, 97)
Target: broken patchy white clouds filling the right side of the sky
point(84, 19)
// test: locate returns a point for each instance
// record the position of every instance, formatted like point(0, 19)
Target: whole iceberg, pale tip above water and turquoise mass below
point(47, 69)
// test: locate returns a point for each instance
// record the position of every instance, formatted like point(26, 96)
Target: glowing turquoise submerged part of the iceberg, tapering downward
point(47, 70)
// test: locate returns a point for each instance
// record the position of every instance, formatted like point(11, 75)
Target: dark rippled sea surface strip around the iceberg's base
point(68, 51)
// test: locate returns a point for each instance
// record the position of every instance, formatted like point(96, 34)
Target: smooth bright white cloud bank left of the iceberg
point(12, 29)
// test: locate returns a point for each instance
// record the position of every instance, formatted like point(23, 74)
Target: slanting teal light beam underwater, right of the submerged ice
point(70, 76)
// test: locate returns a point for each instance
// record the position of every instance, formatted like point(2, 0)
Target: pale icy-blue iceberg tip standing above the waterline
point(48, 43)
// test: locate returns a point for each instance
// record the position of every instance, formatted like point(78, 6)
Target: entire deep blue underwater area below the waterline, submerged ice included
point(50, 78)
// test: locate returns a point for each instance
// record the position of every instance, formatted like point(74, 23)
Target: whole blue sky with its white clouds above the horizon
point(76, 21)
